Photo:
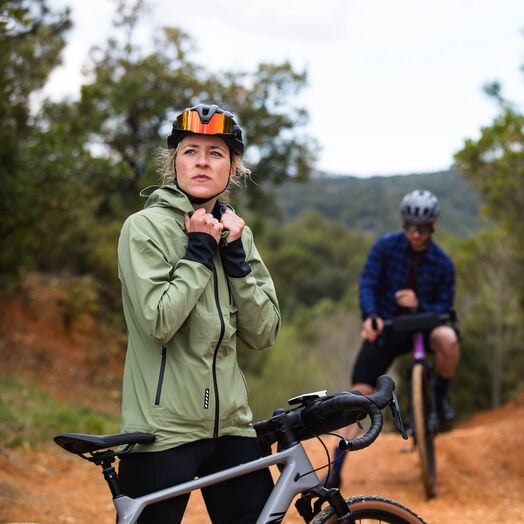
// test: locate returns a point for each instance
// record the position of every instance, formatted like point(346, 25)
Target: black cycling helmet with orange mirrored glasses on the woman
point(207, 119)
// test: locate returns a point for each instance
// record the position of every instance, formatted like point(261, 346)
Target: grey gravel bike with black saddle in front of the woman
point(281, 436)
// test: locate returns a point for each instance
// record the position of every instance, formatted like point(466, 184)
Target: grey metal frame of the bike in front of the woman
point(297, 475)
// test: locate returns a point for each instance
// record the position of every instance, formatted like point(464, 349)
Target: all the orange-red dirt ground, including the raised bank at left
point(480, 463)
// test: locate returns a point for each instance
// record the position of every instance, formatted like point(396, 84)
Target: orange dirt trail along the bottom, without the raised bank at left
point(480, 469)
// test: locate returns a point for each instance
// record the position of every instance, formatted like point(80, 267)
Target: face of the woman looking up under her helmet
point(203, 165)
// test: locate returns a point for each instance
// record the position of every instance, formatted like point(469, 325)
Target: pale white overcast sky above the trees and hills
point(395, 86)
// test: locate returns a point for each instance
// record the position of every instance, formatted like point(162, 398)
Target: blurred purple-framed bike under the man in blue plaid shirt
point(423, 420)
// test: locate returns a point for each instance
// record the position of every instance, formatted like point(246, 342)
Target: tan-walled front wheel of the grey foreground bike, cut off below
point(368, 509)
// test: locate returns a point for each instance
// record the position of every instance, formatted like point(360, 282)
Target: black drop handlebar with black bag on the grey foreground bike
point(327, 414)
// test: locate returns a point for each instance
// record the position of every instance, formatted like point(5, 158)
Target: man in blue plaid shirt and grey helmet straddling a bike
point(405, 272)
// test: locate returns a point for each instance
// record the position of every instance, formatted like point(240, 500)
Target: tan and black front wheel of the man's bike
point(423, 434)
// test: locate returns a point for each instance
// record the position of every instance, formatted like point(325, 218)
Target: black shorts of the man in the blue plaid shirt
point(374, 360)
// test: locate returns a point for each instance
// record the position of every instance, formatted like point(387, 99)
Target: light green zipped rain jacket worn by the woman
point(181, 380)
